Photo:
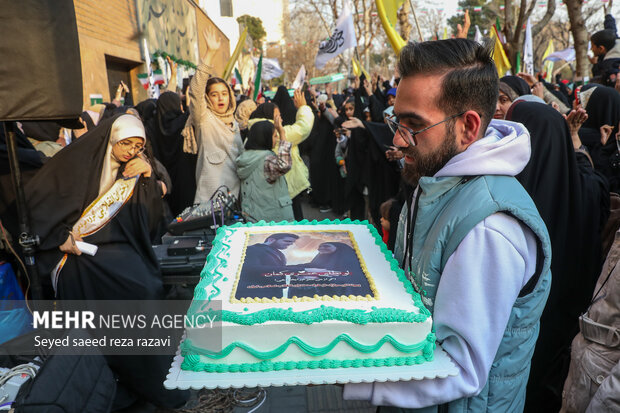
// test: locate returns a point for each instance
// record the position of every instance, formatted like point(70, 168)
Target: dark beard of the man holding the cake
point(430, 164)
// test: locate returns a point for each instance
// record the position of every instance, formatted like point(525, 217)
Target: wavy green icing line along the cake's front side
point(305, 347)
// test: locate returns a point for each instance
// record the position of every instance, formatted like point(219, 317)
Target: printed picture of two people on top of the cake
point(301, 264)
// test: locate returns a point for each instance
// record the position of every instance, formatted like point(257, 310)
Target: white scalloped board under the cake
point(441, 366)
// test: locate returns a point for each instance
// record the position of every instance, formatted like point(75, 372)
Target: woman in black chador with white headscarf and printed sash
point(100, 190)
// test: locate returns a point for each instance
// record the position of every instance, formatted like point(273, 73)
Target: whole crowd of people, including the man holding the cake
point(496, 195)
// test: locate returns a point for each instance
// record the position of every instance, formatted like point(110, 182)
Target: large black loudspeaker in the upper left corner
point(40, 69)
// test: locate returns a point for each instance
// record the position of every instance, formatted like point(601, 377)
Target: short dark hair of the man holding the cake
point(470, 80)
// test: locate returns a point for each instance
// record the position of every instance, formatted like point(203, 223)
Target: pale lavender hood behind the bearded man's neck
point(504, 150)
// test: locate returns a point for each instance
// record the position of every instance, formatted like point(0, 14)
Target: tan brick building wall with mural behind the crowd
point(112, 33)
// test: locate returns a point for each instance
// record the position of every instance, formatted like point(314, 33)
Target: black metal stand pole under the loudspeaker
point(27, 241)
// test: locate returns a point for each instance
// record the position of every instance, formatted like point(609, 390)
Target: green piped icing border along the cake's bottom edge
point(192, 362)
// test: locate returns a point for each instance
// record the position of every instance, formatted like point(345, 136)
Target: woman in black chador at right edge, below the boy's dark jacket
point(602, 104)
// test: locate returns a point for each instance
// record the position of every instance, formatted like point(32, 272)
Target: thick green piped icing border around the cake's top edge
point(207, 288)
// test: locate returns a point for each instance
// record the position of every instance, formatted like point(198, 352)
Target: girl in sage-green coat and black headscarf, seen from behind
point(264, 193)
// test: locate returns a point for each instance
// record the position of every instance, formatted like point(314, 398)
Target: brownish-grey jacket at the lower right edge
point(593, 383)
